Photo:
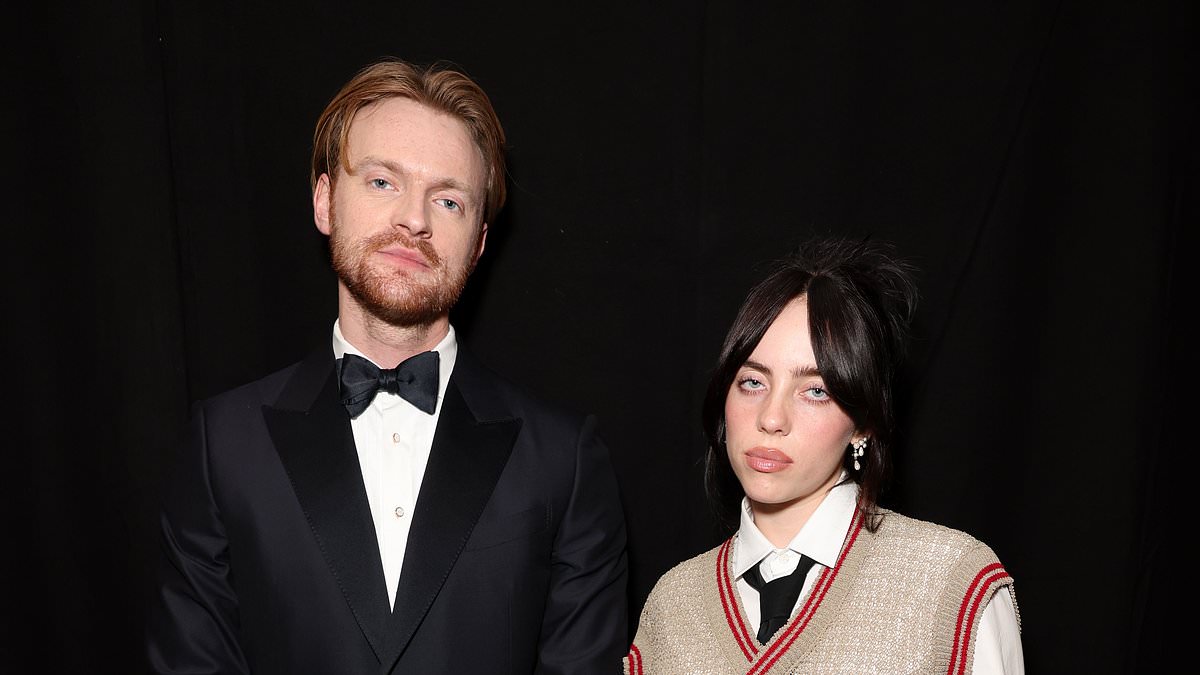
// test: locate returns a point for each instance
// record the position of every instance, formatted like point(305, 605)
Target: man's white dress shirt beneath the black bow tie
point(394, 440)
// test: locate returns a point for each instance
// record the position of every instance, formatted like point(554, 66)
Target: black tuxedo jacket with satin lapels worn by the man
point(515, 561)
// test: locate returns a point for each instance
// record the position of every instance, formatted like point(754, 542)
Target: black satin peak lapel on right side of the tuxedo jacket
point(466, 462)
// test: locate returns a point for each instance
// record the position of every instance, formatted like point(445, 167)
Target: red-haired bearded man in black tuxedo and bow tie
point(340, 517)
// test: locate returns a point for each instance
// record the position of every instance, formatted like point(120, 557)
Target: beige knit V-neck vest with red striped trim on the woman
point(904, 600)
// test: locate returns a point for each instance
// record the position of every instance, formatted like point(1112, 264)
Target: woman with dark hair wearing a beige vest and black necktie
point(819, 578)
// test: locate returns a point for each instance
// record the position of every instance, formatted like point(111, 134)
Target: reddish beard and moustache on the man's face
point(397, 297)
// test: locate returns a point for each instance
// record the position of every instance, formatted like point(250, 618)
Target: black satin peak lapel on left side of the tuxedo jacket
point(314, 439)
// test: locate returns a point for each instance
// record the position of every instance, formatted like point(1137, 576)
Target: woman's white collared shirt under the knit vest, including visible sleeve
point(998, 650)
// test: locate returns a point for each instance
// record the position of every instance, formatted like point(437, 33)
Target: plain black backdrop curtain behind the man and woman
point(1036, 160)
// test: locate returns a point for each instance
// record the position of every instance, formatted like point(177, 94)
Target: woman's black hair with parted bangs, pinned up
point(861, 300)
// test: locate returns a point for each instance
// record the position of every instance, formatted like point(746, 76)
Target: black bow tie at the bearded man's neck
point(416, 380)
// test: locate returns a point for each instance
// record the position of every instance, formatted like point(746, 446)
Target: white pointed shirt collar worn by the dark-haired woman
point(821, 539)
